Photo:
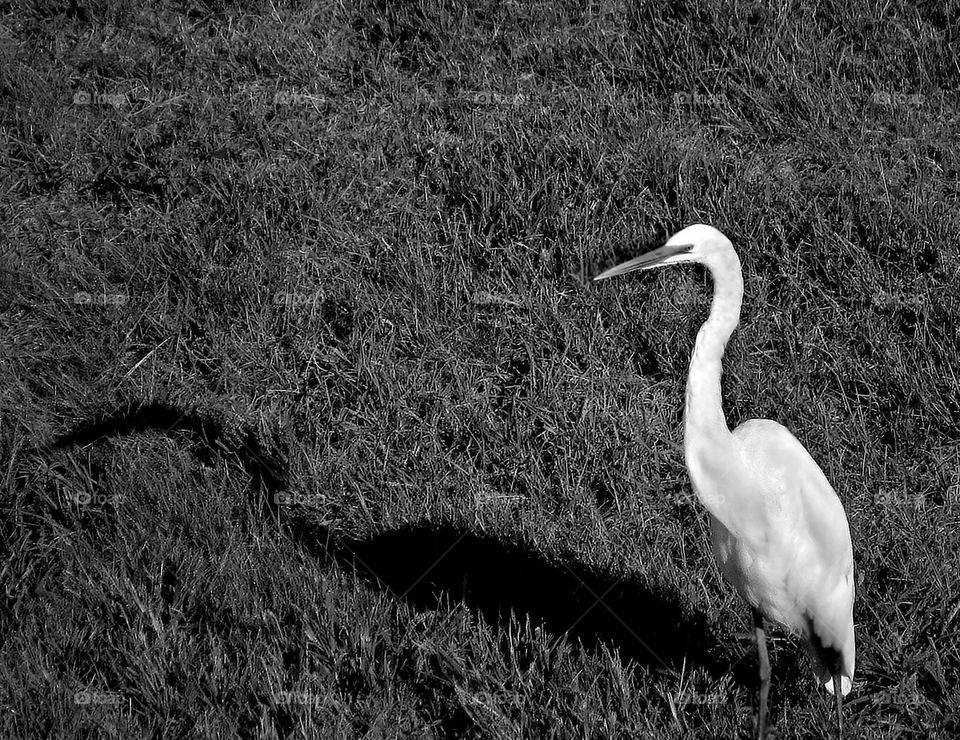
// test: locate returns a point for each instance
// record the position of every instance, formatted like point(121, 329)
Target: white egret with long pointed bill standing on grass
point(779, 531)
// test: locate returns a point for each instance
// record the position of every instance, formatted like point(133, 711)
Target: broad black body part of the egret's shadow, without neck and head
point(428, 564)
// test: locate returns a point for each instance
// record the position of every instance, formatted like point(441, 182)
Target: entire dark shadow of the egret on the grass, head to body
point(428, 564)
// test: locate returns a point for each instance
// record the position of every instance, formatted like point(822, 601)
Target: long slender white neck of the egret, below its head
point(707, 439)
